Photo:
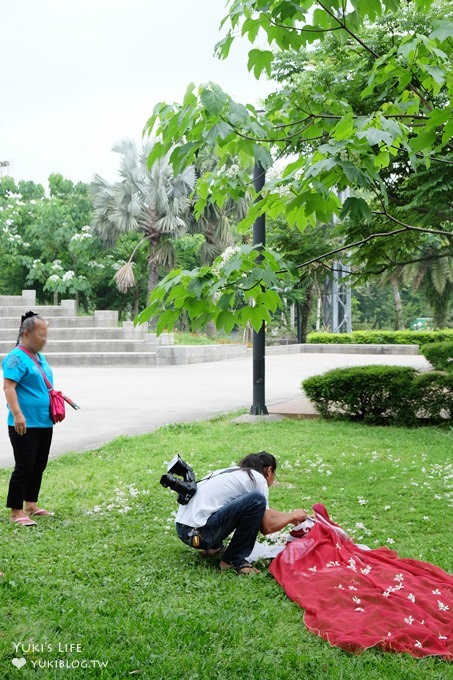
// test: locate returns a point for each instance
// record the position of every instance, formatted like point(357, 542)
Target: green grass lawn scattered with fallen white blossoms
point(108, 573)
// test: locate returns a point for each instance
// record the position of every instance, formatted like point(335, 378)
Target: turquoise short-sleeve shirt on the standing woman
point(31, 389)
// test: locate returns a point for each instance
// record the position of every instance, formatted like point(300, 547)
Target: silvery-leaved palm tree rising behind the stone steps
point(148, 200)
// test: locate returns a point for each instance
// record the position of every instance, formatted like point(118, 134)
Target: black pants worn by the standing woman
point(31, 452)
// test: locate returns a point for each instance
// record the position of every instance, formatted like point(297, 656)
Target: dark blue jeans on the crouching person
point(243, 516)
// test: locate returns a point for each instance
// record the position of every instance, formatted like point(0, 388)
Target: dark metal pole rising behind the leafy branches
point(259, 339)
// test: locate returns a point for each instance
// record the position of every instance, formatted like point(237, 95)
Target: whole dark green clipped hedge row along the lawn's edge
point(382, 394)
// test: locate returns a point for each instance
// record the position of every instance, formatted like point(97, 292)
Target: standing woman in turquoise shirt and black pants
point(29, 423)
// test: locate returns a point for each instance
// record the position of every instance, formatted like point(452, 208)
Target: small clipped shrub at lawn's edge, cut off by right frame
point(432, 395)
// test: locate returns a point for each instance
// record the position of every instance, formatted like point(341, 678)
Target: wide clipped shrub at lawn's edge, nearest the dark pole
point(372, 394)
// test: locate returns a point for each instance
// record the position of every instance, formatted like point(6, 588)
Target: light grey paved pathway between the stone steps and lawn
point(117, 401)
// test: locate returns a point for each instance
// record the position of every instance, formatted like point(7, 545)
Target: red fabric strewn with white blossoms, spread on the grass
point(356, 598)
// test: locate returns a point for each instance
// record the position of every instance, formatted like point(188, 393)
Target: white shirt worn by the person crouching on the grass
point(216, 491)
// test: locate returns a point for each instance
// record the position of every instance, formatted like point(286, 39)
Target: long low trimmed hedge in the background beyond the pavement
point(382, 337)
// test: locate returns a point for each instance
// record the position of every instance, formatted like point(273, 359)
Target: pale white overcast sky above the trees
point(79, 75)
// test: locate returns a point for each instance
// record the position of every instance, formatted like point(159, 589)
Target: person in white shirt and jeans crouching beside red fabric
point(234, 501)
